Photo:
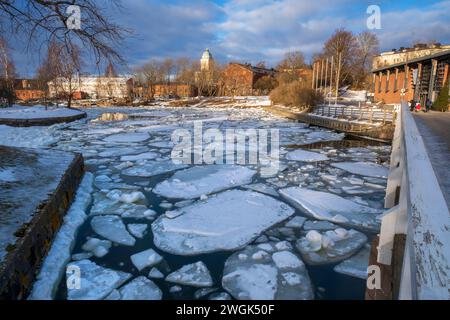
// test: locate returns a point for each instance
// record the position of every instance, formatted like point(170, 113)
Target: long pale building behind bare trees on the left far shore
point(93, 87)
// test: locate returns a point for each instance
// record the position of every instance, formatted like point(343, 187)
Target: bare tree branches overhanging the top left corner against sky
point(48, 21)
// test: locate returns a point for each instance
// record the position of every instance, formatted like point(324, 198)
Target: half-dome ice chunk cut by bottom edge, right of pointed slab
point(140, 288)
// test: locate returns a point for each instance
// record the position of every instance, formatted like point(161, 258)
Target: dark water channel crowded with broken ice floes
point(157, 230)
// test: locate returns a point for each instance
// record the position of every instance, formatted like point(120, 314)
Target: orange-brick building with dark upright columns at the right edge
point(419, 77)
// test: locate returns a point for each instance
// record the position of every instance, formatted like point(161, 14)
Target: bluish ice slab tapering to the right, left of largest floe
point(112, 228)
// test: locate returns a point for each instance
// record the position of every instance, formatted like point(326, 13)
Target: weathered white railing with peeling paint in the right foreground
point(417, 209)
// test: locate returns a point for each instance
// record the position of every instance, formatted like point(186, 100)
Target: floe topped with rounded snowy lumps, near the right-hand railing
point(321, 248)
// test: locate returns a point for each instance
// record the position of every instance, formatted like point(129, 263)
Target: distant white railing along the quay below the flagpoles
point(356, 113)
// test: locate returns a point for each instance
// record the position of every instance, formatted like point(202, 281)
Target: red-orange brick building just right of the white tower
point(239, 79)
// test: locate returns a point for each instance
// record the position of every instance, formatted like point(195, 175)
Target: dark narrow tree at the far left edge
point(7, 73)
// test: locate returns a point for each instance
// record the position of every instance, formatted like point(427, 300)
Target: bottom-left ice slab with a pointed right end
point(96, 282)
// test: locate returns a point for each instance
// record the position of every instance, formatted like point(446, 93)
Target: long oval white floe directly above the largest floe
point(197, 181)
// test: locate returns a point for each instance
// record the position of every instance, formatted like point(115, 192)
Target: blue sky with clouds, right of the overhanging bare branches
point(262, 30)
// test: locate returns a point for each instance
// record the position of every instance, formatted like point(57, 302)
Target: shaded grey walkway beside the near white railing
point(435, 130)
